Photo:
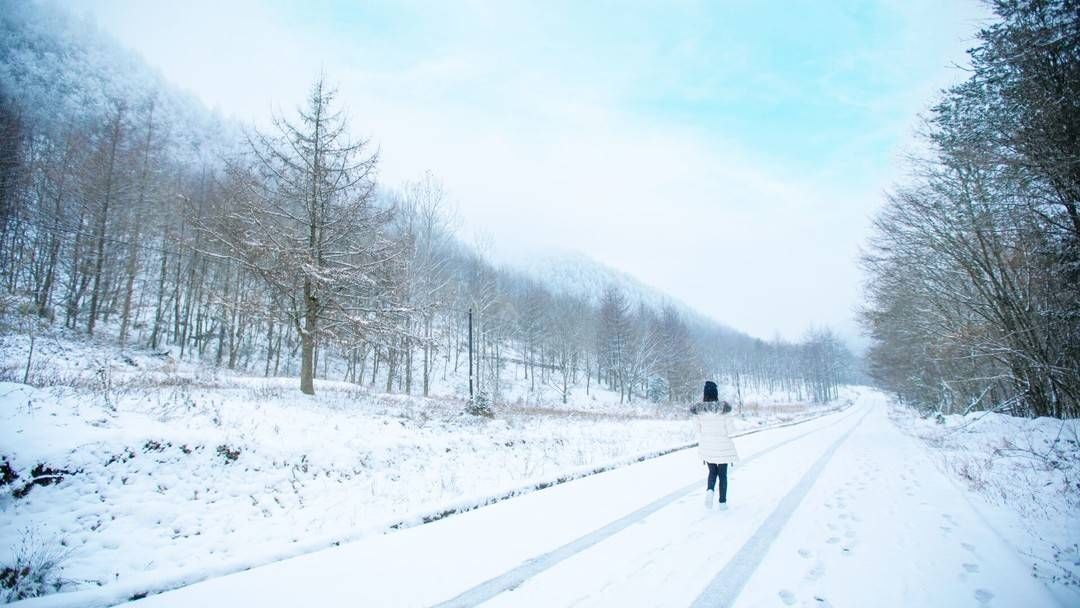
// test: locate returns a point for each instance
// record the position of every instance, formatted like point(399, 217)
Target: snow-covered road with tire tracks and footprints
point(844, 510)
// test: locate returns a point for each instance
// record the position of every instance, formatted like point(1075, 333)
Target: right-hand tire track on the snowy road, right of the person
point(728, 584)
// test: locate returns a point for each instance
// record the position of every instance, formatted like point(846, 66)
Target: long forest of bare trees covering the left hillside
point(128, 212)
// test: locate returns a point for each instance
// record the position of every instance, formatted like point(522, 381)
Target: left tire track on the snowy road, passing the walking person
point(530, 569)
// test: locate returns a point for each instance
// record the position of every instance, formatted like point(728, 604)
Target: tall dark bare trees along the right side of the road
point(975, 268)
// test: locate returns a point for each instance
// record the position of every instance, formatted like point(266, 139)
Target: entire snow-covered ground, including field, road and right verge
point(145, 475)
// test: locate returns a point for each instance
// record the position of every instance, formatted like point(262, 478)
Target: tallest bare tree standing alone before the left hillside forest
point(301, 217)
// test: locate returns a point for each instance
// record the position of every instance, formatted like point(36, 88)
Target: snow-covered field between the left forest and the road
point(140, 470)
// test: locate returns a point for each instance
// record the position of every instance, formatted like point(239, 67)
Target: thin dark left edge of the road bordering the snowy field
point(112, 596)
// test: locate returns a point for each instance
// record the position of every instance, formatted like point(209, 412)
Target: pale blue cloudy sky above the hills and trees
point(728, 153)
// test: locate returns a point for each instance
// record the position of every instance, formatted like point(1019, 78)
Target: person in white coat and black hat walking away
point(714, 442)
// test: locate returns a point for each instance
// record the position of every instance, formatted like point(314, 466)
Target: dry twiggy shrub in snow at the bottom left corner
point(35, 569)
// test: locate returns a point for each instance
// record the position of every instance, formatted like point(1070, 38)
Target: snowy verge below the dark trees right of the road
point(1025, 477)
